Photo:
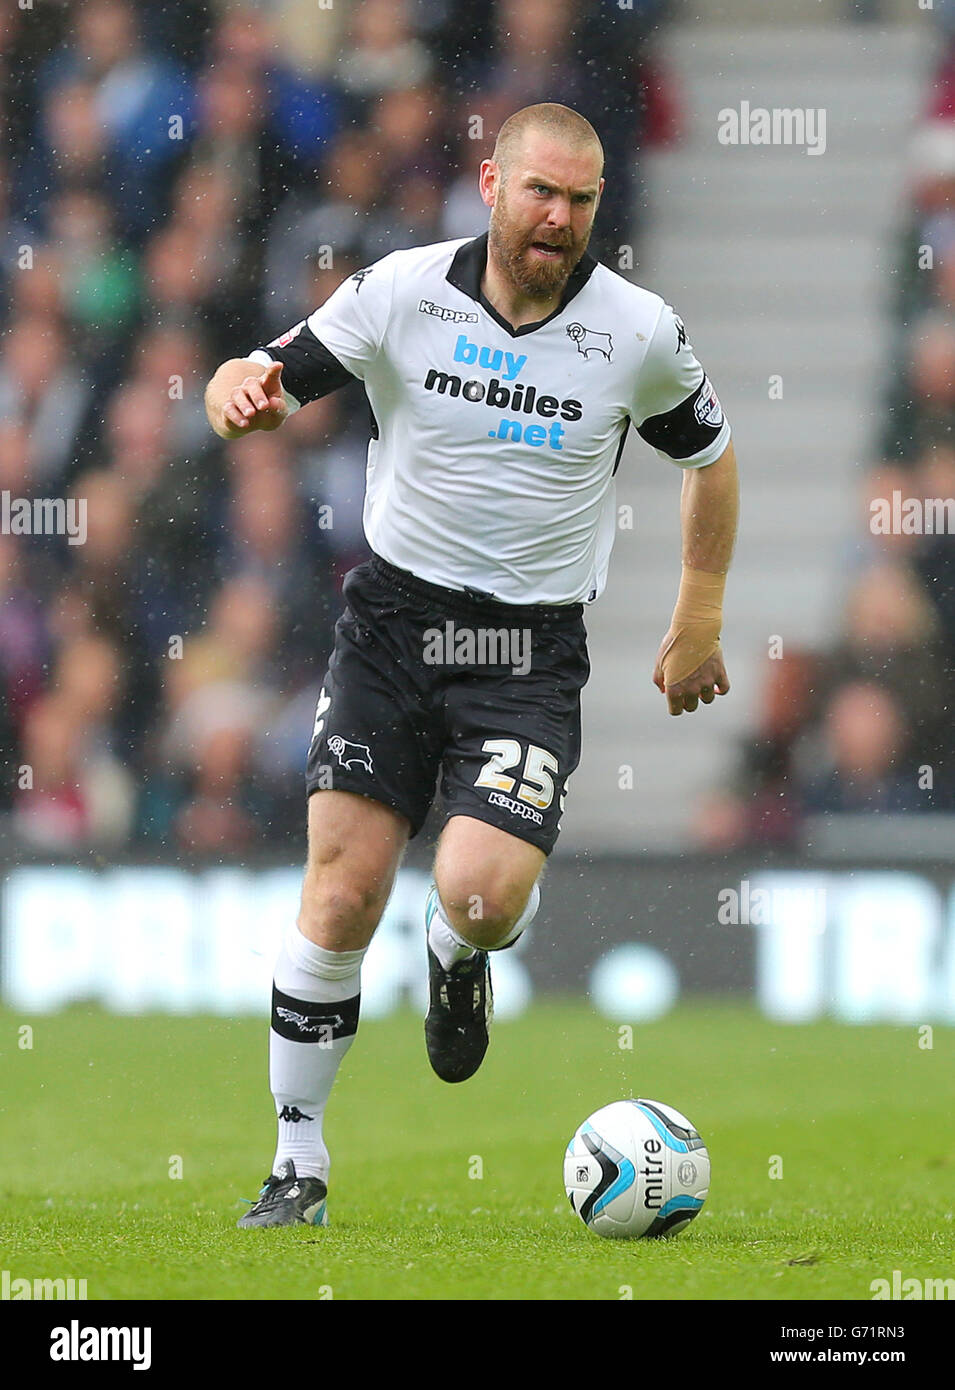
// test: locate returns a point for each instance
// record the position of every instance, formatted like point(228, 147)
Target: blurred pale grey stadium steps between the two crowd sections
point(781, 263)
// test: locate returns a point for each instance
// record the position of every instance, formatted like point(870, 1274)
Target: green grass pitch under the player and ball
point(94, 1117)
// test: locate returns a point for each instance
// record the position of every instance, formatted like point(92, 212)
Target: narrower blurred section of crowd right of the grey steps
point(865, 726)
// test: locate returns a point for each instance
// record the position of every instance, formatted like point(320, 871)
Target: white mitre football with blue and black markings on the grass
point(637, 1168)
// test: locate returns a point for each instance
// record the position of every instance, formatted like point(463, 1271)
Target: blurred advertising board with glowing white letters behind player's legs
point(854, 945)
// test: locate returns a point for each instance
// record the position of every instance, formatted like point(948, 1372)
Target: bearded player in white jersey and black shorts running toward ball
point(504, 375)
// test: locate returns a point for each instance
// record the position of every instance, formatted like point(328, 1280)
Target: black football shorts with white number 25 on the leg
point(427, 682)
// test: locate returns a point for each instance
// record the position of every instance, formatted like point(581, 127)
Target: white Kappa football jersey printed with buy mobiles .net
point(494, 450)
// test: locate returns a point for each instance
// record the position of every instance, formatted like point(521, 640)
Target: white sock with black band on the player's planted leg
point(316, 997)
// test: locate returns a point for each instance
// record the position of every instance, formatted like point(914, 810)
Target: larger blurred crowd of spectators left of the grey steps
point(179, 184)
